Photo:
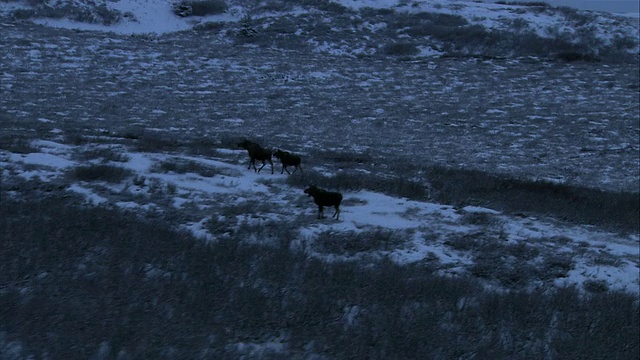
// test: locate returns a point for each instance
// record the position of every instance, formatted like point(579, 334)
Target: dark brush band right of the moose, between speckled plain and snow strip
point(575, 203)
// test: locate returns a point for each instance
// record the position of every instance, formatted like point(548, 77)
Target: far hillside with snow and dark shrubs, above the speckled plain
point(409, 29)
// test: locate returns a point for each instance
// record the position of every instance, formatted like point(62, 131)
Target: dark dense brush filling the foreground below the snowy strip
point(172, 292)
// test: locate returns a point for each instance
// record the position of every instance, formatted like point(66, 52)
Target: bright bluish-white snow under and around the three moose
point(428, 226)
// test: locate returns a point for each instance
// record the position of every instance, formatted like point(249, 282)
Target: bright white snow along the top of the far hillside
point(155, 16)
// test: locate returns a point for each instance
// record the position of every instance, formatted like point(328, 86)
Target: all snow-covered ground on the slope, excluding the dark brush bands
point(560, 122)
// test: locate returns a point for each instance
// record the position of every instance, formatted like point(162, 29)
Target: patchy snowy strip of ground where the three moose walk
point(421, 231)
